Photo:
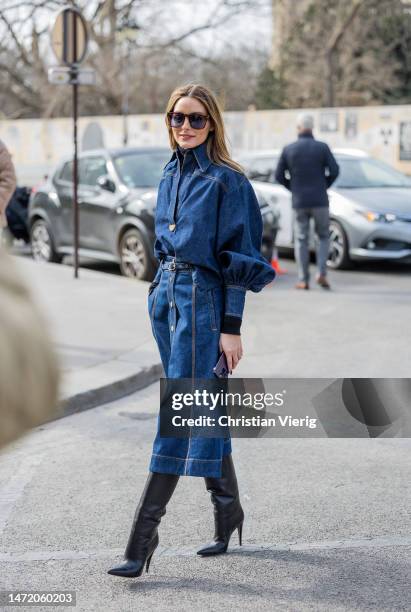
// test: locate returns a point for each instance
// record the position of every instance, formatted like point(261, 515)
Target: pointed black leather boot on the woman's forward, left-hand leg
point(143, 538)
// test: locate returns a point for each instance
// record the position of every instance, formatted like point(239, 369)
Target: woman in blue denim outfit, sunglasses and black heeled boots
point(208, 237)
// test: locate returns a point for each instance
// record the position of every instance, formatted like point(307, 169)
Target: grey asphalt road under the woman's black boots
point(327, 521)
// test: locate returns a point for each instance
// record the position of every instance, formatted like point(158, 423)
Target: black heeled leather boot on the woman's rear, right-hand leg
point(228, 513)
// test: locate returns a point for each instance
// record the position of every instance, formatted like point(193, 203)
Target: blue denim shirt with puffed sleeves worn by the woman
point(208, 215)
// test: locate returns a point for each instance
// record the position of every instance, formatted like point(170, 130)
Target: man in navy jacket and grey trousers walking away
point(308, 168)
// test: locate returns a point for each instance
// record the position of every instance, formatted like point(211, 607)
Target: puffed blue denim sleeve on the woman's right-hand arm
point(240, 229)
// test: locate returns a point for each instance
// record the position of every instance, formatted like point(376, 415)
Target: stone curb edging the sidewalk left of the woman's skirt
point(108, 393)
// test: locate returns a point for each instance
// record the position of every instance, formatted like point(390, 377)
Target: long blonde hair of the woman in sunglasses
point(216, 141)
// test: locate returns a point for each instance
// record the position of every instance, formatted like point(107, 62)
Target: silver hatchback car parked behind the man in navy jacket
point(370, 207)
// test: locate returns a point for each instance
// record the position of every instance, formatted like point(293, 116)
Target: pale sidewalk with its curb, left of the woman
point(101, 331)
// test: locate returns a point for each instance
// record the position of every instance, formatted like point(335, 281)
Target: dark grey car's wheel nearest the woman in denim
point(135, 259)
